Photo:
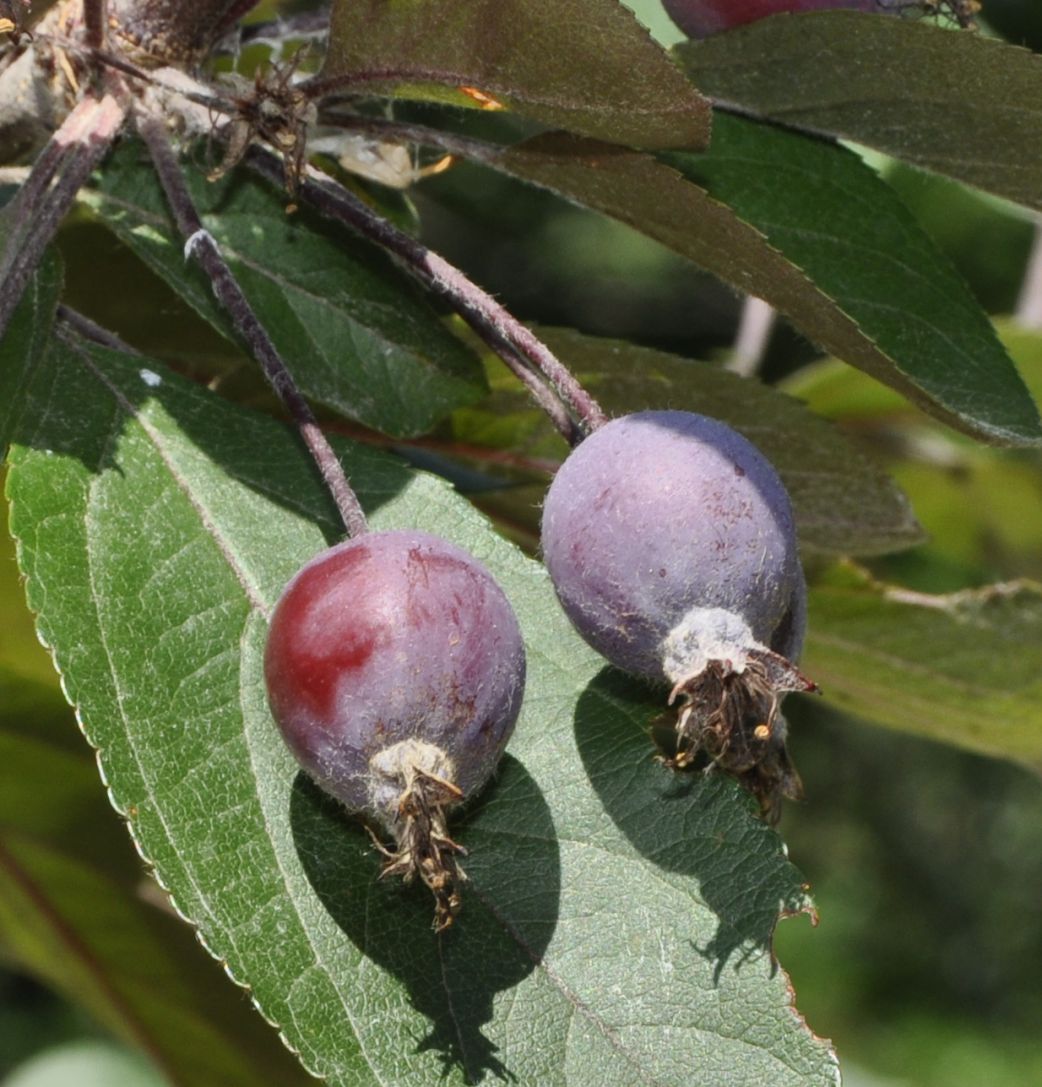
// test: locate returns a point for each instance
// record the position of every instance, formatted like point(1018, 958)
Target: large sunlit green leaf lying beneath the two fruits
point(618, 924)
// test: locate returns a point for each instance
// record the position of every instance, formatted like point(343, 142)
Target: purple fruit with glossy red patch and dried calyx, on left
point(395, 670)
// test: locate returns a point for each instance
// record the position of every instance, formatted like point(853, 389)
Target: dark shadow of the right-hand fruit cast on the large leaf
point(694, 824)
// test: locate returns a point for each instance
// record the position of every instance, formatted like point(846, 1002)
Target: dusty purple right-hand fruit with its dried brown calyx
point(672, 546)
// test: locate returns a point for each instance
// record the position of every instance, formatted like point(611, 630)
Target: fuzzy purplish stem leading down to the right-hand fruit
point(564, 402)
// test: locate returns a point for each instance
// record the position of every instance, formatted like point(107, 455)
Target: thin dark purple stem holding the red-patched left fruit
point(202, 245)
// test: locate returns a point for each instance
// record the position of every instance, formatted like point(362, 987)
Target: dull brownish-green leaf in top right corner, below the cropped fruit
point(958, 104)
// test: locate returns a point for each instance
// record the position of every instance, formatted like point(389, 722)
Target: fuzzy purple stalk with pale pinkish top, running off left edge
point(66, 164)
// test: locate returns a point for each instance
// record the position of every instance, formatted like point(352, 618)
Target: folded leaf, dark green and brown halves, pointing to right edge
point(809, 228)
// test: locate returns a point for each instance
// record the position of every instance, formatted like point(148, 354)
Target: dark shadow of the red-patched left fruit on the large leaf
point(510, 909)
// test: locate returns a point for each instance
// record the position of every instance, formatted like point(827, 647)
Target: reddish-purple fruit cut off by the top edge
point(699, 19)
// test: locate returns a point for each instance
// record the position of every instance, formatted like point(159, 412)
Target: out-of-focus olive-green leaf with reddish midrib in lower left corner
point(77, 909)
